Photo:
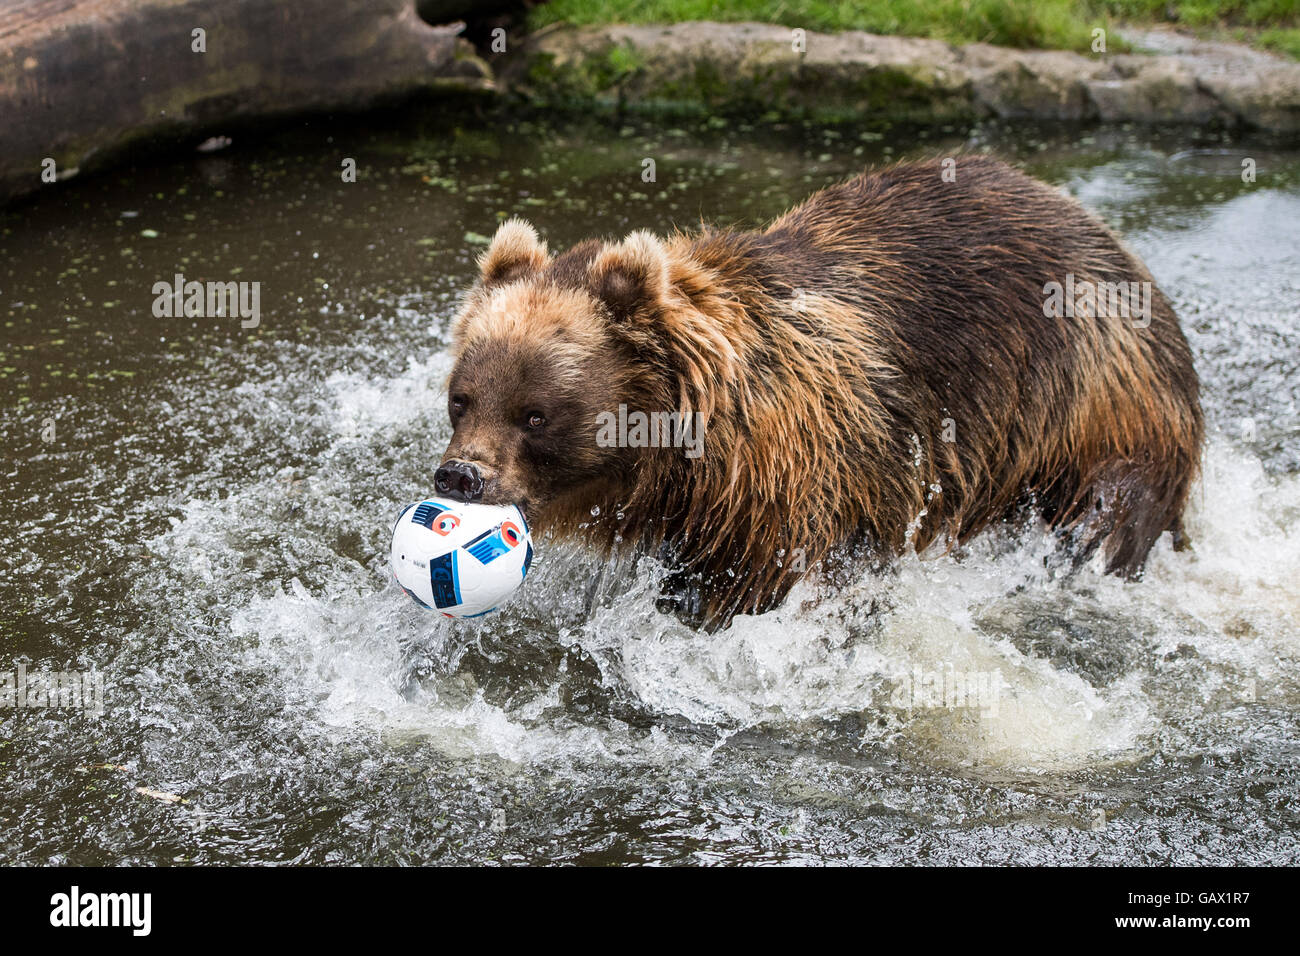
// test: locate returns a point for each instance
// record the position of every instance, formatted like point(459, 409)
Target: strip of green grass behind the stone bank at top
point(1032, 24)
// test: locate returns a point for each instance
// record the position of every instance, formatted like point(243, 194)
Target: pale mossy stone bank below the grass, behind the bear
point(703, 67)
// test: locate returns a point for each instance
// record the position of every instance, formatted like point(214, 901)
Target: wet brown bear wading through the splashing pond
point(900, 360)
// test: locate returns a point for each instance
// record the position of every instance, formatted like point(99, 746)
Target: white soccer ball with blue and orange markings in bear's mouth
point(462, 560)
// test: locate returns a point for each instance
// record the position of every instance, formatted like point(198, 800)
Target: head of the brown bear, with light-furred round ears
point(547, 347)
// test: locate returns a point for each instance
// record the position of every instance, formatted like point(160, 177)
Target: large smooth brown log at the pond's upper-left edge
point(81, 80)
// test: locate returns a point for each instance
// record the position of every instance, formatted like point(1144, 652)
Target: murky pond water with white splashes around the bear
point(200, 513)
